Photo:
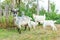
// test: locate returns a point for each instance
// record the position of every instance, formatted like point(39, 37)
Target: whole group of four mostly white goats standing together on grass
point(27, 21)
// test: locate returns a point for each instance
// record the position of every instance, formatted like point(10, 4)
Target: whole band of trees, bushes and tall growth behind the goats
point(7, 16)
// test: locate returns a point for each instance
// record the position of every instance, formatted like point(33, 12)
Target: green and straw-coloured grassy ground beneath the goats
point(38, 34)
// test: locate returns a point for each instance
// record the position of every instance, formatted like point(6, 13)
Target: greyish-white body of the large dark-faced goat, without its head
point(21, 21)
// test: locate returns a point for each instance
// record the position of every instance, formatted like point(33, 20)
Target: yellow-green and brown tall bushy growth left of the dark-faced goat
point(6, 22)
